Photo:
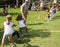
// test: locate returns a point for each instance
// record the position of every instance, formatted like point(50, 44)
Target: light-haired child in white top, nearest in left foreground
point(8, 31)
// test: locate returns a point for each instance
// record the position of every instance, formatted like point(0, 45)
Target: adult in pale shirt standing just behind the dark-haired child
point(24, 10)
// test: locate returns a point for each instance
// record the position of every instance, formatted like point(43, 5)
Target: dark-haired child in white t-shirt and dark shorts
point(21, 24)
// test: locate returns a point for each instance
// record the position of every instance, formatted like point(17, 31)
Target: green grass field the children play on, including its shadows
point(42, 33)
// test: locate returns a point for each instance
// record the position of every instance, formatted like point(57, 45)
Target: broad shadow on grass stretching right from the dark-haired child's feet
point(43, 33)
